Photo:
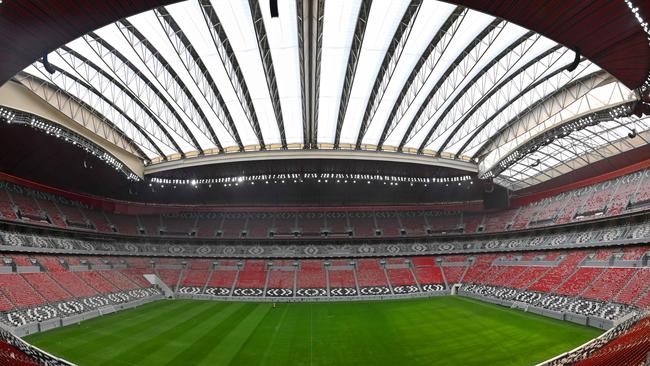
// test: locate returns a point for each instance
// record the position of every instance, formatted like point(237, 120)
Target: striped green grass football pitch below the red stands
point(436, 331)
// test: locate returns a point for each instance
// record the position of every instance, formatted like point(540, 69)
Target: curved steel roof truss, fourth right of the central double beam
point(480, 44)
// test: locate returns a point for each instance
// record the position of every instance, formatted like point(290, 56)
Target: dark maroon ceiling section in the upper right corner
point(606, 32)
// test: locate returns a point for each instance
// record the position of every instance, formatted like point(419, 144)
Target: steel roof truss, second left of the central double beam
point(231, 65)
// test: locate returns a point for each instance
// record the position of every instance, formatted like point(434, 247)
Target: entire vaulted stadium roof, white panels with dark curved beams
point(422, 77)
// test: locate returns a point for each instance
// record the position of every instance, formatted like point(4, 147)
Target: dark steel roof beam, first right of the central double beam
point(351, 68)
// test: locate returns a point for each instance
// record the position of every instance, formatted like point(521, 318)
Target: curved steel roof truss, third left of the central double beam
point(199, 73)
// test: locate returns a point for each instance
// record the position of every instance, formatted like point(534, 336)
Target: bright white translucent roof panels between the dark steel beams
point(468, 103)
